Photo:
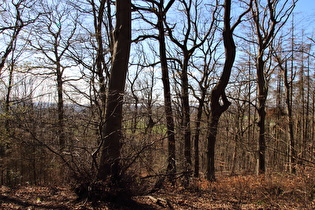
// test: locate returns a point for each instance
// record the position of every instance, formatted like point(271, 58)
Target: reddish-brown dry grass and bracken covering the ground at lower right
point(272, 191)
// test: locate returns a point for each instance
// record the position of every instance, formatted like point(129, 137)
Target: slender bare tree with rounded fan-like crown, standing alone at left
point(52, 38)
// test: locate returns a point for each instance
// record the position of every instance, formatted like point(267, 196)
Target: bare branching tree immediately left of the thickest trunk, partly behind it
point(93, 51)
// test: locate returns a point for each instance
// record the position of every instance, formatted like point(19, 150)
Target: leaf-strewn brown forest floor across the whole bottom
point(235, 192)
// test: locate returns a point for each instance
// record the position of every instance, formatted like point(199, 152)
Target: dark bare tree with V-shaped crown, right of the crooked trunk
point(268, 18)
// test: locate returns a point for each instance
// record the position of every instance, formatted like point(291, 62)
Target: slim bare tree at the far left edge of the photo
point(15, 16)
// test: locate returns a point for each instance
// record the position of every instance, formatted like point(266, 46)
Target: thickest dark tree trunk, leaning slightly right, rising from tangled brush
point(112, 134)
